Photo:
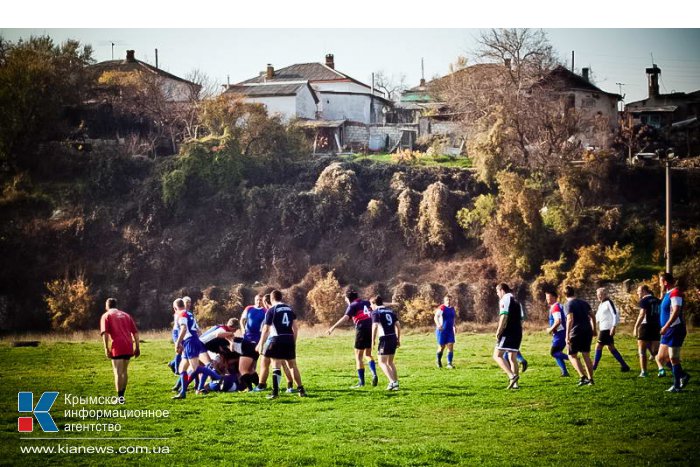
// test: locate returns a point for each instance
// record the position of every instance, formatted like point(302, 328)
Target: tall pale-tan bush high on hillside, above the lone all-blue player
point(435, 219)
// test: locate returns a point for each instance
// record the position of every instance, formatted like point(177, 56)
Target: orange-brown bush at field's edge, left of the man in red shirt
point(69, 304)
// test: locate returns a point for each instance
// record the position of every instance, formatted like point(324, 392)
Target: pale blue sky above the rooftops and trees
point(614, 55)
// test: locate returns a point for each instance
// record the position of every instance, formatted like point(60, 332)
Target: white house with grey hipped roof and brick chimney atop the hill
point(313, 91)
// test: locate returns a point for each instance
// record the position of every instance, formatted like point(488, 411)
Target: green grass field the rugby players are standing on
point(439, 417)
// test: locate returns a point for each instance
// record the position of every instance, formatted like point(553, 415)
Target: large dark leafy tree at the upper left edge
point(38, 81)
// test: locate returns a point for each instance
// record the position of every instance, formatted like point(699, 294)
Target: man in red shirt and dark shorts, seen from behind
point(121, 342)
